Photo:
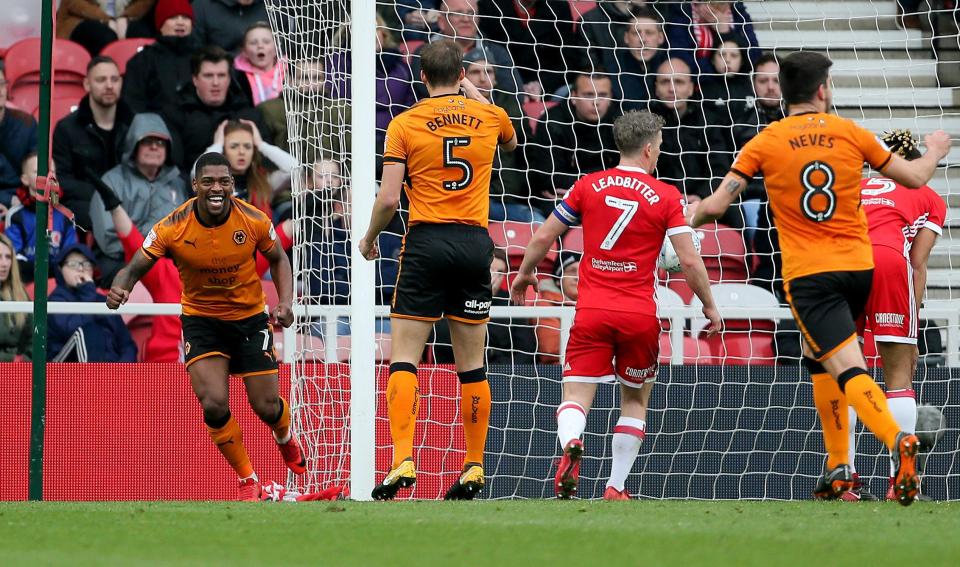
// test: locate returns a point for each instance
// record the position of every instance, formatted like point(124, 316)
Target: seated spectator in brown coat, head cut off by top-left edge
point(95, 24)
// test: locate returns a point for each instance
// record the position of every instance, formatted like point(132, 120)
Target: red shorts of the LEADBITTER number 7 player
point(607, 345)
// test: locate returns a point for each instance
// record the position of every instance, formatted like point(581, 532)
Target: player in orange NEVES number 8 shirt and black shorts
point(812, 162)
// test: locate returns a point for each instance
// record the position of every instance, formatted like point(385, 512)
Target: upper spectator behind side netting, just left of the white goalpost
point(316, 117)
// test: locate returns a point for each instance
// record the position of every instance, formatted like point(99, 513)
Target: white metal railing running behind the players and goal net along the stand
point(939, 310)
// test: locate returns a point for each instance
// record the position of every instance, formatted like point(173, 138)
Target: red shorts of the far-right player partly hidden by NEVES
point(891, 312)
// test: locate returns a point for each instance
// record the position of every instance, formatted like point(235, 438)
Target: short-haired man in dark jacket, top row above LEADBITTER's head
point(642, 50)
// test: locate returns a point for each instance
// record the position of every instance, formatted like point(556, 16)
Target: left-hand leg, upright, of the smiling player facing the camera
point(209, 379)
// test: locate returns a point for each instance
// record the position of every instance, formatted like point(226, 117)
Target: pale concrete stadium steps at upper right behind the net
point(884, 78)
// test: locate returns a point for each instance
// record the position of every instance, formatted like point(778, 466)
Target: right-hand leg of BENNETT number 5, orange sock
point(468, 338)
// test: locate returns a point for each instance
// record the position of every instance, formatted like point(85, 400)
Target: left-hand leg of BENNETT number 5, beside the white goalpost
point(408, 337)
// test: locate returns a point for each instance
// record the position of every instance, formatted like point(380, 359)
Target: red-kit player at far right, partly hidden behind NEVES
point(903, 226)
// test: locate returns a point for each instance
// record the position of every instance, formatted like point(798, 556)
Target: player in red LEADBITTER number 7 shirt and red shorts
point(626, 214)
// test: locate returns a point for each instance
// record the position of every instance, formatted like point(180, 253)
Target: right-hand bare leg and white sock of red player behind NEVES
point(899, 366)
